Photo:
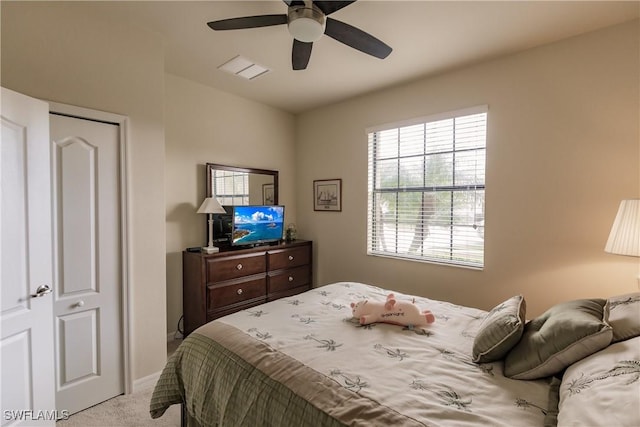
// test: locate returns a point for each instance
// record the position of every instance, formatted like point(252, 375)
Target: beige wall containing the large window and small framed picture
point(563, 149)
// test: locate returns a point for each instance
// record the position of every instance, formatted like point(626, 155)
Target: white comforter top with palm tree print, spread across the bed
point(425, 374)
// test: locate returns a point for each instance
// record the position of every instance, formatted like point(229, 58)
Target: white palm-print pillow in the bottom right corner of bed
point(603, 389)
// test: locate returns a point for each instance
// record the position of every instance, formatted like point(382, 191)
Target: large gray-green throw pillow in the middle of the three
point(564, 334)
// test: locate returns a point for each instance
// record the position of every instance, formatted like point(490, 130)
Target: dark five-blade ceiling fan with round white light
point(307, 22)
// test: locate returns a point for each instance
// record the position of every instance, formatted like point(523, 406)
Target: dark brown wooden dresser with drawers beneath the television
point(214, 285)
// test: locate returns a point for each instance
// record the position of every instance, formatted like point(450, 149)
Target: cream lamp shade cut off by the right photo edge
point(624, 238)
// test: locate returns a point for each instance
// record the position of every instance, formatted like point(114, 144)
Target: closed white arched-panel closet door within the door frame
point(88, 270)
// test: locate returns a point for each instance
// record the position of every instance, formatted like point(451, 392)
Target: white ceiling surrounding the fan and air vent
point(427, 37)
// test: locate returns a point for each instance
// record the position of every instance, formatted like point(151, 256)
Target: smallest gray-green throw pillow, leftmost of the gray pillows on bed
point(500, 330)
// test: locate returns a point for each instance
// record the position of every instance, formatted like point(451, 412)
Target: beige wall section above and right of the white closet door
point(58, 52)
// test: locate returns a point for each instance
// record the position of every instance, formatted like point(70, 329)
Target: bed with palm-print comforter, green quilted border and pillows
point(305, 361)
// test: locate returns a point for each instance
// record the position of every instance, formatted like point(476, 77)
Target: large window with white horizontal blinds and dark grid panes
point(426, 189)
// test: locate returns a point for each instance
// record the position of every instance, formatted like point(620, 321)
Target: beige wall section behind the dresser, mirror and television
point(205, 125)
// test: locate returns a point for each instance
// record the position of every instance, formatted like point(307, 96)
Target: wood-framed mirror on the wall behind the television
point(233, 185)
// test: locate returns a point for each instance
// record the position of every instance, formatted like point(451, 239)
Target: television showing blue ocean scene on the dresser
point(253, 225)
